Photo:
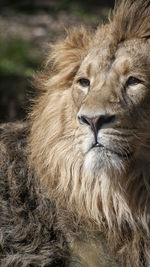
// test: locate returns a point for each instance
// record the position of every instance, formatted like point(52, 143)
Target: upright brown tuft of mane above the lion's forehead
point(131, 19)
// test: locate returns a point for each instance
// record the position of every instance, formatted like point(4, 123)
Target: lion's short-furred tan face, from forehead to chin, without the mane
point(112, 96)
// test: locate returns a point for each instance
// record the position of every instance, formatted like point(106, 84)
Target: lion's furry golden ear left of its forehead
point(66, 56)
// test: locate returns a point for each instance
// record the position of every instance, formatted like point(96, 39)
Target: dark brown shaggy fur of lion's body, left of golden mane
point(27, 236)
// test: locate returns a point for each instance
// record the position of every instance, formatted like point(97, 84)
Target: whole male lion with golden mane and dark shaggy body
point(75, 177)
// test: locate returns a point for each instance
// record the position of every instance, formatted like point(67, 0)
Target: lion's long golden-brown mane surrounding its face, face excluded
point(117, 202)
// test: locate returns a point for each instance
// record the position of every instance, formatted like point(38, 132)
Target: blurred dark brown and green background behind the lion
point(26, 28)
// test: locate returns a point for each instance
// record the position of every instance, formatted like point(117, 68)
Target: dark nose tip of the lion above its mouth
point(97, 122)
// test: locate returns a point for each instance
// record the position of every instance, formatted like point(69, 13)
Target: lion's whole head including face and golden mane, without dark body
point(91, 124)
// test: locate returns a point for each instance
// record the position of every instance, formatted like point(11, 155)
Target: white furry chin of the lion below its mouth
point(99, 158)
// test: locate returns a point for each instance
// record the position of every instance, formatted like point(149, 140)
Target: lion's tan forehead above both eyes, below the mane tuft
point(101, 63)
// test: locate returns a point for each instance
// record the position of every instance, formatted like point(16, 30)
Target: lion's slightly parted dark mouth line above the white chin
point(124, 155)
